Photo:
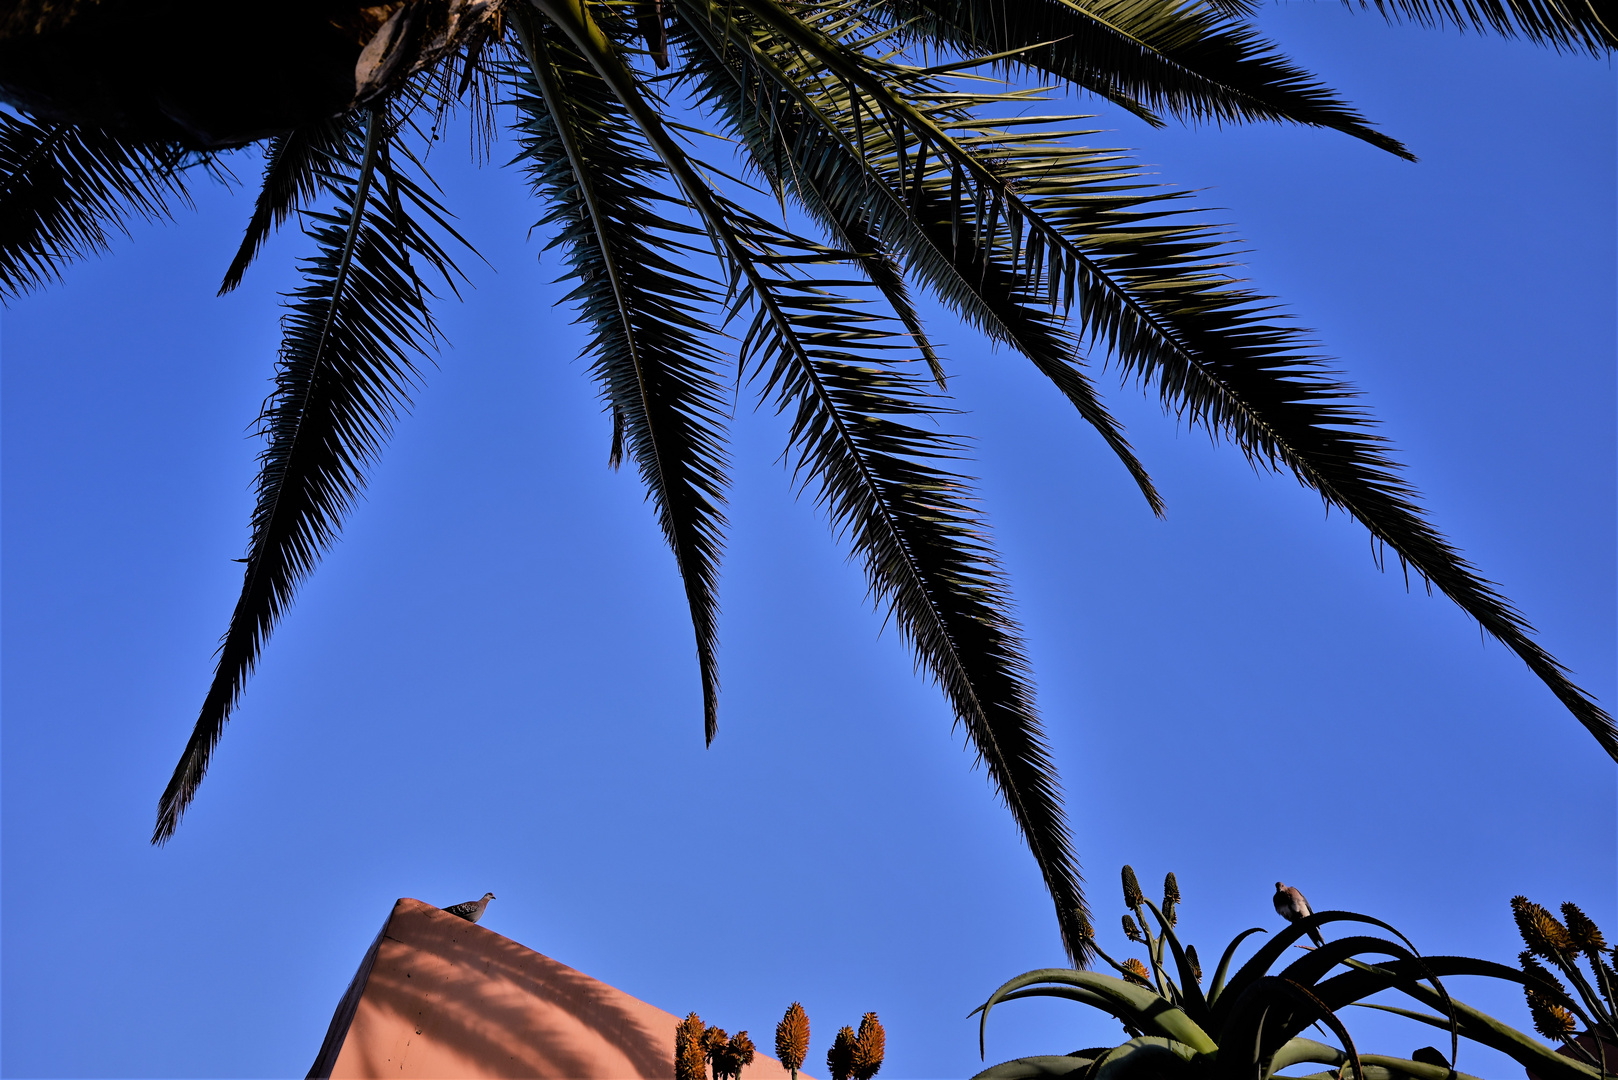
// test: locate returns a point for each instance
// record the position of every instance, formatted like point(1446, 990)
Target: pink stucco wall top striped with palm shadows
point(441, 998)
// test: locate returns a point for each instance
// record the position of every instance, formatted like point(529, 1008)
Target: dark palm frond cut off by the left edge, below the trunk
point(64, 190)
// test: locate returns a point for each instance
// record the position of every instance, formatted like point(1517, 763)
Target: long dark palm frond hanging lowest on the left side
point(345, 372)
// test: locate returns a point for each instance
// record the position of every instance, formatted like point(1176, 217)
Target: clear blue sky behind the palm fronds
point(489, 682)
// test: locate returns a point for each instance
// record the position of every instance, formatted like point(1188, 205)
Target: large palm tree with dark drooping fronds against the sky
point(876, 121)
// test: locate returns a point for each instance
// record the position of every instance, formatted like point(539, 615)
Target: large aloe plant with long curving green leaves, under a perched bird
point(1252, 1023)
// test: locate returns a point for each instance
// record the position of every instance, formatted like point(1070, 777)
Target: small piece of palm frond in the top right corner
point(1564, 25)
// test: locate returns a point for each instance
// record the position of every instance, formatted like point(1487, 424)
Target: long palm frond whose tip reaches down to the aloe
point(926, 551)
